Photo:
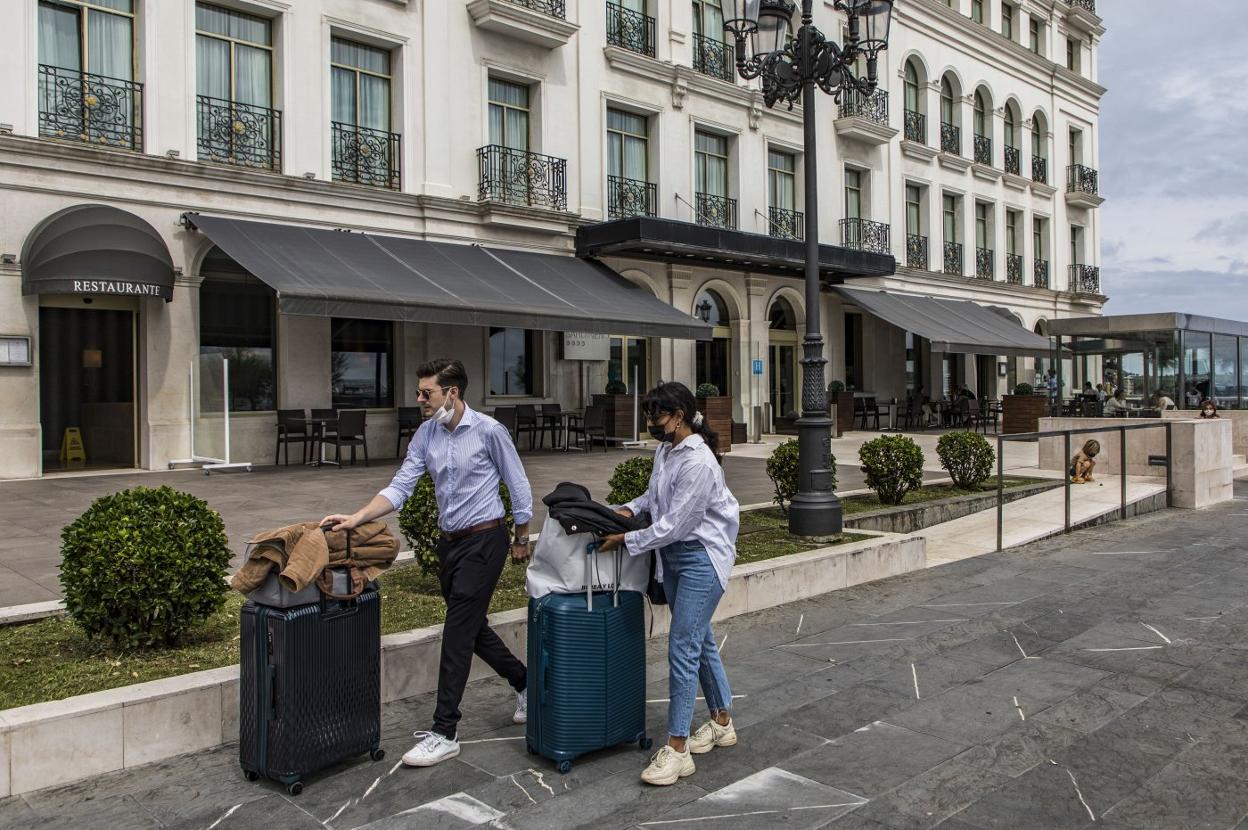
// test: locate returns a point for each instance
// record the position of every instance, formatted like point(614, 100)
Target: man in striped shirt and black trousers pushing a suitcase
point(467, 454)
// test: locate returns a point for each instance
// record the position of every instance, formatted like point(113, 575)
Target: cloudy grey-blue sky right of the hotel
point(1175, 158)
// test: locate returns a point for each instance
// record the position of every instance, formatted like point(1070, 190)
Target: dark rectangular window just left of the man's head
point(361, 364)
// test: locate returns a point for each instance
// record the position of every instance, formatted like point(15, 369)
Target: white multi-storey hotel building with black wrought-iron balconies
point(330, 192)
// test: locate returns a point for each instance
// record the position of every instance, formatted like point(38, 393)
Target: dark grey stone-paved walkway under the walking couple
point(993, 702)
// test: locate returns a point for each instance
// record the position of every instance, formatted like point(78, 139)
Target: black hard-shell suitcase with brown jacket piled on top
point(310, 687)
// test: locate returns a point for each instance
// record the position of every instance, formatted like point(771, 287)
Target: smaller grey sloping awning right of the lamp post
point(950, 325)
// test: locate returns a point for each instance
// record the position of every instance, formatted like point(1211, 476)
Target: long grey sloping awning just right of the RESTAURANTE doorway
point(345, 274)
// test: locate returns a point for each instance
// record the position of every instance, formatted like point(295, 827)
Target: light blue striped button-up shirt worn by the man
point(467, 465)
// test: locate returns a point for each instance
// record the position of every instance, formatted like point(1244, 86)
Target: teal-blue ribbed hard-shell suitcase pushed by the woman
point(587, 675)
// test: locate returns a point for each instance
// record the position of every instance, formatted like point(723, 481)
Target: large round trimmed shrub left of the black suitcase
point(142, 567)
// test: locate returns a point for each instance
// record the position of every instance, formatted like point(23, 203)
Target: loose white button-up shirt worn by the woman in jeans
point(688, 501)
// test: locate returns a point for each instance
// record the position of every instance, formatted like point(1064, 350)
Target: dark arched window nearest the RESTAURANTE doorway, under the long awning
point(236, 321)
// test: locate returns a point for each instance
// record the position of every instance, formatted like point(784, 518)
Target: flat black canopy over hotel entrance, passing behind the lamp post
point(672, 242)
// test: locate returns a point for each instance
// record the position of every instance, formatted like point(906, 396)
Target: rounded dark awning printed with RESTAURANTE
point(97, 250)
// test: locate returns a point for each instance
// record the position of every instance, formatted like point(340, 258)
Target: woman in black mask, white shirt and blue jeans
point(695, 535)
